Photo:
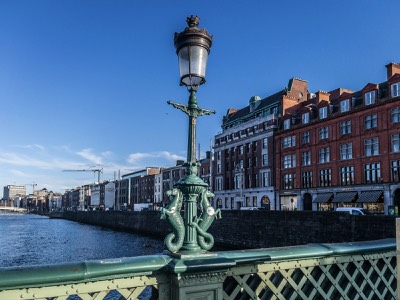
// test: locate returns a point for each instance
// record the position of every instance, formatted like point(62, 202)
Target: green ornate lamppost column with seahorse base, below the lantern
point(192, 188)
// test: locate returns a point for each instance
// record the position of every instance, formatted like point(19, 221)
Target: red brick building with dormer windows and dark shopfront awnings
point(341, 148)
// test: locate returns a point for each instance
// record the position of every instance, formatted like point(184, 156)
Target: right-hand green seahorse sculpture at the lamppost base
point(208, 215)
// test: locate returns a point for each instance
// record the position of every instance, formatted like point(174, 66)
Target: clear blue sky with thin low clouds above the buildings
point(86, 83)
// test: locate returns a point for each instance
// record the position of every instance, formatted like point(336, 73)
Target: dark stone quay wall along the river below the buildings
point(256, 229)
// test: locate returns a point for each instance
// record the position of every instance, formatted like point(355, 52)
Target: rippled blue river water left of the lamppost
point(27, 240)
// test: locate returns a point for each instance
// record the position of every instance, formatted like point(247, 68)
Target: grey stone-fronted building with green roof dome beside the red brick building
point(243, 168)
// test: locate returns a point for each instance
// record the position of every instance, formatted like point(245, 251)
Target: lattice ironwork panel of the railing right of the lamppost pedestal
point(351, 277)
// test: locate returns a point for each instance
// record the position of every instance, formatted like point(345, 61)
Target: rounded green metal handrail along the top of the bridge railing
point(155, 265)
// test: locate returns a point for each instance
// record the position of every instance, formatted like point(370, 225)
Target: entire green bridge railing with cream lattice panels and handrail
point(358, 270)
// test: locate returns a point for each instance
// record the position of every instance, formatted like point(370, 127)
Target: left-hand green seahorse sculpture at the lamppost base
point(172, 213)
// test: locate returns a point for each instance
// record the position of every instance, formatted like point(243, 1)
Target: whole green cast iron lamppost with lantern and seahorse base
point(190, 192)
